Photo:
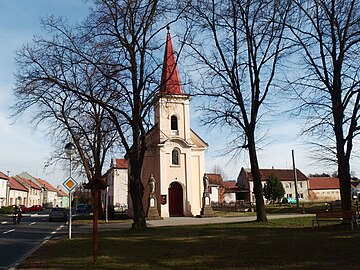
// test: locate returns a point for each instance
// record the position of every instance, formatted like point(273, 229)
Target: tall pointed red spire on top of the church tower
point(170, 80)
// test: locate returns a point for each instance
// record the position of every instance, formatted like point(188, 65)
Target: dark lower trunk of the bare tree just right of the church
point(259, 198)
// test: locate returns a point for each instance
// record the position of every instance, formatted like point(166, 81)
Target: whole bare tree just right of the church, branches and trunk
point(237, 46)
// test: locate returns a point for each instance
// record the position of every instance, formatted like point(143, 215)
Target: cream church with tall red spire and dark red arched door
point(175, 156)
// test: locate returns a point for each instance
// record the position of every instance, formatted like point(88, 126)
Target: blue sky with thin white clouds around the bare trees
point(22, 148)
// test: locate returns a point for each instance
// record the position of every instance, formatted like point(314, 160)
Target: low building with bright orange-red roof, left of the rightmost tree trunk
point(324, 188)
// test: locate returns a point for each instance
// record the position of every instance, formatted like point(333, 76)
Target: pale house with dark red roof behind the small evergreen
point(286, 176)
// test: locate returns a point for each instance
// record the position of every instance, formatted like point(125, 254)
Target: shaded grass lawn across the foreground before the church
point(278, 244)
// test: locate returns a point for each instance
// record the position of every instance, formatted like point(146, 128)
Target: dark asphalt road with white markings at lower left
point(17, 241)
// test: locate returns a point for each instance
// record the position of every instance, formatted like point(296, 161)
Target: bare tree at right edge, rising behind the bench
point(328, 34)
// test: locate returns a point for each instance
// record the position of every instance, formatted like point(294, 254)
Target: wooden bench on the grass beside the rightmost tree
point(345, 216)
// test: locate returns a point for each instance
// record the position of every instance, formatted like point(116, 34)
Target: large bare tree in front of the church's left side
point(118, 43)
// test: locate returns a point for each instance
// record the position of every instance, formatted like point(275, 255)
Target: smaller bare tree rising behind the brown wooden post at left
point(62, 112)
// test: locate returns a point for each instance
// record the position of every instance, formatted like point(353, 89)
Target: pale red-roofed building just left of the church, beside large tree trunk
point(117, 179)
